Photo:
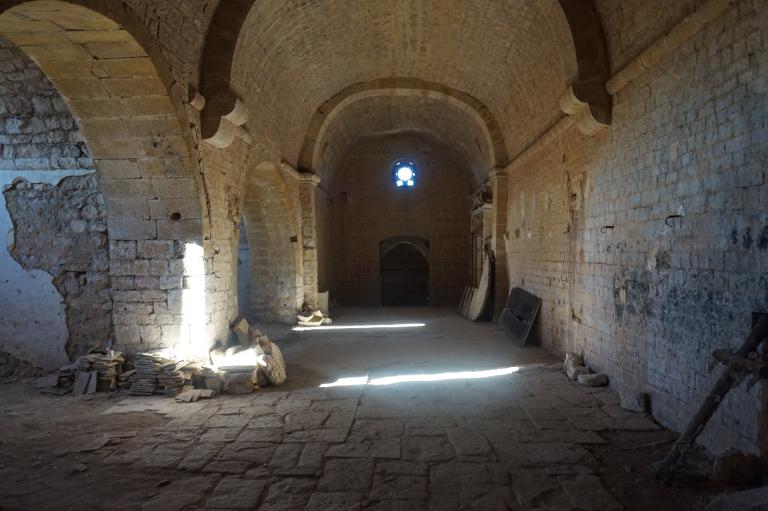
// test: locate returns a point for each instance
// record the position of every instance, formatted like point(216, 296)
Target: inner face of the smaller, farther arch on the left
point(272, 226)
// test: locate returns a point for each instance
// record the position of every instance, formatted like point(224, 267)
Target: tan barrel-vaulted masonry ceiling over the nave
point(514, 58)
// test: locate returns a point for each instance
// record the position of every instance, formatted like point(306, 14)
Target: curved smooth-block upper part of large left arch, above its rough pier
point(124, 111)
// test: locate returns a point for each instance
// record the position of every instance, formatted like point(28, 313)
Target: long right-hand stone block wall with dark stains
point(649, 243)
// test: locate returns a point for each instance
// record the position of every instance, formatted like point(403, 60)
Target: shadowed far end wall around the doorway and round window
point(368, 208)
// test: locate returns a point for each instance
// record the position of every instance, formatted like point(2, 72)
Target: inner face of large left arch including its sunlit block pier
point(131, 127)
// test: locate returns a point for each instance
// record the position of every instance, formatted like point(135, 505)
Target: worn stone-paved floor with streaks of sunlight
point(448, 416)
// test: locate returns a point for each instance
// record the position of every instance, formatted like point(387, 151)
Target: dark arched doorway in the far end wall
point(404, 276)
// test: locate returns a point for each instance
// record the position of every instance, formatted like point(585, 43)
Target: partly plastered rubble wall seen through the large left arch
point(55, 292)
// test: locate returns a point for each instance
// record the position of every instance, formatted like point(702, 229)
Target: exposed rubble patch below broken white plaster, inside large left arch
point(61, 230)
